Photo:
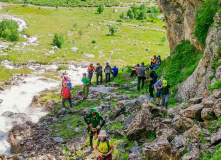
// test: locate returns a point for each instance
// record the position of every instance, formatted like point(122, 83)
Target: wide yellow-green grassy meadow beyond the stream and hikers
point(70, 22)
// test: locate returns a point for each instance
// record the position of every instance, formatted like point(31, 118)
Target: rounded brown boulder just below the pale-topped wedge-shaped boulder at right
point(183, 124)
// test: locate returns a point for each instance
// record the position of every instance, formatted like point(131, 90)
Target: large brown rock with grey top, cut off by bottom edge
point(159, 149)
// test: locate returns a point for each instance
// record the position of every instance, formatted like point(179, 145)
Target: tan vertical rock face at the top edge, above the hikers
point(180, 19)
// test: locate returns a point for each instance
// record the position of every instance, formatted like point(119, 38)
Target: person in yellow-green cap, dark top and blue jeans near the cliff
point(165, 93)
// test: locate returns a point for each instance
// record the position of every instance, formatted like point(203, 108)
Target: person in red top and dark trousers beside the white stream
point(66, 94)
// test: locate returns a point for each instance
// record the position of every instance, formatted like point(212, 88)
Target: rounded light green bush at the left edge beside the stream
point(9, 30)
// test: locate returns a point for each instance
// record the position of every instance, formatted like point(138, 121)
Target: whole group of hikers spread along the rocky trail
point(103, 146)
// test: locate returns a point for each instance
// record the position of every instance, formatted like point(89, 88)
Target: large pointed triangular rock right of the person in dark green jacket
point(141, 125)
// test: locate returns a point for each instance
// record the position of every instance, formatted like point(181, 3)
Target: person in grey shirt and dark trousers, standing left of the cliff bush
point(141, 72)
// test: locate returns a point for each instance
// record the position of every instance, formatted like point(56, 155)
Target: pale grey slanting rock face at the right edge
point(199, 80)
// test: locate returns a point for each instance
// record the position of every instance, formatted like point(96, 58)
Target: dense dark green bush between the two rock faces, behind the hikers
point(183, 58)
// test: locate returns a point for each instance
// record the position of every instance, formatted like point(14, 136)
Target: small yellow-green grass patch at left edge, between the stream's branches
point(6, 74)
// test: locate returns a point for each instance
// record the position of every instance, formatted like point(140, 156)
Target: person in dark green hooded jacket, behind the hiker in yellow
point(95, 122)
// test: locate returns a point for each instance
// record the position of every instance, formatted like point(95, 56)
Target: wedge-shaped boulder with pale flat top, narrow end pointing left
point(193, 111)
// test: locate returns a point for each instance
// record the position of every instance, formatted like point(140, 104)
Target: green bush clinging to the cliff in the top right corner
point(204, 18)
